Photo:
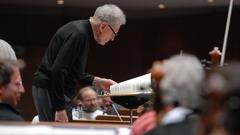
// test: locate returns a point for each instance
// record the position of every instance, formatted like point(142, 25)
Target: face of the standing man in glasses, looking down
point(107, 33)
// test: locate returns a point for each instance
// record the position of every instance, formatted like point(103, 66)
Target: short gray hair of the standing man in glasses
point(110, 13)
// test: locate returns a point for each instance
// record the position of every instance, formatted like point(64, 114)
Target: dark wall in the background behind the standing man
point(139, 43)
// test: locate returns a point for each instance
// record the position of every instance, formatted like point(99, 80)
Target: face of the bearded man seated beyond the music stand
point(89, 103)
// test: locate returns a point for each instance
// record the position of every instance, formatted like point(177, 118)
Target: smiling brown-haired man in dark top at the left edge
point(11, 89)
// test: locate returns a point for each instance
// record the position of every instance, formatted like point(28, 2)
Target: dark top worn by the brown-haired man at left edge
point(8, 113)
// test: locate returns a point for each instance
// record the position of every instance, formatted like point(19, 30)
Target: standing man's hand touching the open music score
point(103, 83)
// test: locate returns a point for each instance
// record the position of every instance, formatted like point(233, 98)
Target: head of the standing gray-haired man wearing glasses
point(107, 17)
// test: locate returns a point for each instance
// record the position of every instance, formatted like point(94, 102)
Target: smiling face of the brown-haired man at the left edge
point(11, 93)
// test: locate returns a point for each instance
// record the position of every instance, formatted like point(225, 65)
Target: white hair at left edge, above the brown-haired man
point(6, 51)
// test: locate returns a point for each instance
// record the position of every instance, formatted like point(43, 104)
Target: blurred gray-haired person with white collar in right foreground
point(178, 95)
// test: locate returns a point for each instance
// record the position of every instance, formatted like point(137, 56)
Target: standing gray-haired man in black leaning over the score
point(63, 65)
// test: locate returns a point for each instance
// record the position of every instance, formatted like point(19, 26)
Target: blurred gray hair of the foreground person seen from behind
point(182, 80)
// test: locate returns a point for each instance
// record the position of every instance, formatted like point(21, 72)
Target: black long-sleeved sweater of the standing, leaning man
point(63, 65)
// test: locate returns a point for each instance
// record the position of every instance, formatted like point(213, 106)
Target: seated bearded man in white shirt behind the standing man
point(87, 105)
